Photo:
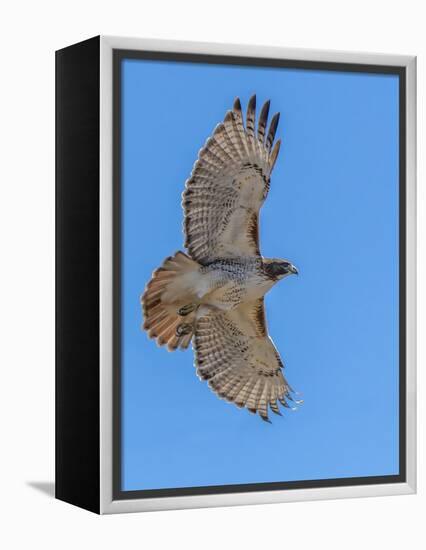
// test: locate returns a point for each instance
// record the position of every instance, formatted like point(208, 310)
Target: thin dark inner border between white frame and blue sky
point(400, 71)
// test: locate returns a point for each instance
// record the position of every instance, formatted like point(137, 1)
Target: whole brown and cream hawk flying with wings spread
point(213, 294)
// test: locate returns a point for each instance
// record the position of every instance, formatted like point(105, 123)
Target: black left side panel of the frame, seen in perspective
point(77, 469)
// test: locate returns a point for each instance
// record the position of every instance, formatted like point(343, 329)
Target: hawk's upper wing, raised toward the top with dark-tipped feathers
point(228, 184)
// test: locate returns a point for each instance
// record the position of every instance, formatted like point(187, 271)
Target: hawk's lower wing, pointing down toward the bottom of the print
point(235, 354)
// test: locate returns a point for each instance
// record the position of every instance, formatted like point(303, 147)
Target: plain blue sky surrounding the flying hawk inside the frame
point(333, 211)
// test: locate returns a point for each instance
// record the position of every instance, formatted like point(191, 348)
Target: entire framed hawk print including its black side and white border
point(235, 274)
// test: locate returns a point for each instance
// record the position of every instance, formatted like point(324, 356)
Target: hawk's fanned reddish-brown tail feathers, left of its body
point(167, 292)
